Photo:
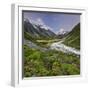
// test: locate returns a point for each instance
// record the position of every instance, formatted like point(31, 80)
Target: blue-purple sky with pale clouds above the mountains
point(55, 21)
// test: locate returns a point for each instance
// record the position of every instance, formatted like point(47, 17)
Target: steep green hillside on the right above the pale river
point(73, 38)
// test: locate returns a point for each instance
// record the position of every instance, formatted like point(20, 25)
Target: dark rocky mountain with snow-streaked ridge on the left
point(37, 31)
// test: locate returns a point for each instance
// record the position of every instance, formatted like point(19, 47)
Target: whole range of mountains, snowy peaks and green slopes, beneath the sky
point(36, 31)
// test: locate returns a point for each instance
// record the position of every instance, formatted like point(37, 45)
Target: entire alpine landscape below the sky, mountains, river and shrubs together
point(49, 54)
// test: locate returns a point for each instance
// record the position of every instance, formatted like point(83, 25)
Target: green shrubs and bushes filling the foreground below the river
point(49, 63)
